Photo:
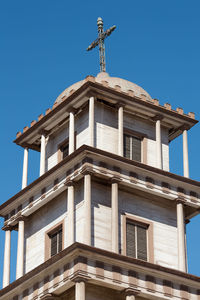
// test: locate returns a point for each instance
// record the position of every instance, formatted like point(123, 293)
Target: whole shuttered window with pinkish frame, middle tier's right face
point(138, 238)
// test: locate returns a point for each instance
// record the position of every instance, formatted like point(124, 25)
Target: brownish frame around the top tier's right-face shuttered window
point(142, 137)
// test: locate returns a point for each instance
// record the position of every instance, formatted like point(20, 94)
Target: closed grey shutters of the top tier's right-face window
point(132, 147)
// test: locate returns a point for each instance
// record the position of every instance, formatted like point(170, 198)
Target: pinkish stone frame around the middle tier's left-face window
point(52, 230)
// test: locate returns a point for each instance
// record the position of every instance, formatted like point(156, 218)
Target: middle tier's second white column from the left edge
point(20, 250)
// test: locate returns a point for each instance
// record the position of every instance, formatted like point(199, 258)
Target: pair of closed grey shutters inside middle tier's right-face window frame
point(136, 240)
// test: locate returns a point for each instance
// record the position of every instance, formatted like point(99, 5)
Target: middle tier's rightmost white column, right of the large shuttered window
point(181, 237)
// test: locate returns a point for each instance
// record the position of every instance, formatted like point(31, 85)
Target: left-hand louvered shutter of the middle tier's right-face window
point(130, 240)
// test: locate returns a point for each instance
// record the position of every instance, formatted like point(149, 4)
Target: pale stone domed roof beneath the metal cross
point(113, 82)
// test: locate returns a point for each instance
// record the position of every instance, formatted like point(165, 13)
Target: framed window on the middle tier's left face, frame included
point(54, 240)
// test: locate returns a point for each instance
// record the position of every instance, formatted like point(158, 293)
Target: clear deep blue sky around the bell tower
point(43, 51)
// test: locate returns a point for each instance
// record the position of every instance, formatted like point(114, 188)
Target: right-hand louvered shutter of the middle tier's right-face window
point(142, 242)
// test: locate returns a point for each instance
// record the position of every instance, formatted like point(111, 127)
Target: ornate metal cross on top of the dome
point(100, 41)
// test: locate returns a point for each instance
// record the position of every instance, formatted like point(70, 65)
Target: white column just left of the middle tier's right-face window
point(114, 213)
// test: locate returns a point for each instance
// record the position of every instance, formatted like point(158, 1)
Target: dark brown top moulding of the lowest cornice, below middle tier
point(78, 249)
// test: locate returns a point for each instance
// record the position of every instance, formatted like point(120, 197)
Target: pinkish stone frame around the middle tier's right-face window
point(145, 223)
